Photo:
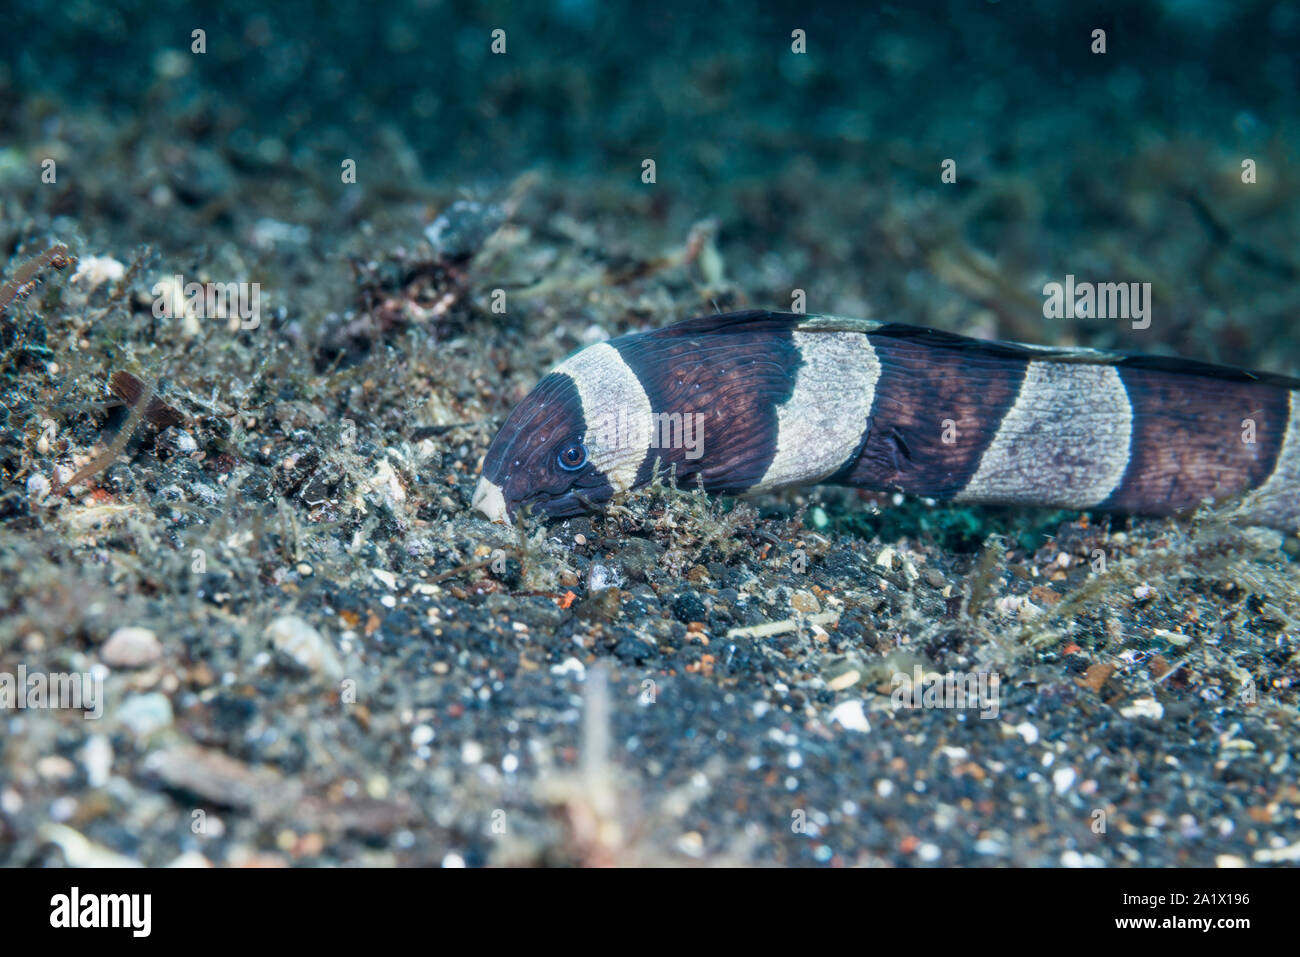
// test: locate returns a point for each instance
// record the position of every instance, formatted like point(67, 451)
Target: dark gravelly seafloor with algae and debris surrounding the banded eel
point(296, 673)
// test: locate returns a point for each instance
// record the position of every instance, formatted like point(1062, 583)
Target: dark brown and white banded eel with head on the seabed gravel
point(755, 401)
